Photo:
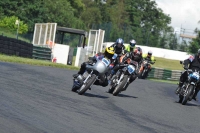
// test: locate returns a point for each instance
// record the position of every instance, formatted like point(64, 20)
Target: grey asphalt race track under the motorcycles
point(37, 99)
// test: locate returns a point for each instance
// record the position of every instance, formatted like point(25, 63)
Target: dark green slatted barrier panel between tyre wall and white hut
point(41, 53)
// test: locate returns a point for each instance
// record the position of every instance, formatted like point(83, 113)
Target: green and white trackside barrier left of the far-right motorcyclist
point(159, 73)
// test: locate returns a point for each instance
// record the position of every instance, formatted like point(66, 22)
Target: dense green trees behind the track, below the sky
point(141, 20)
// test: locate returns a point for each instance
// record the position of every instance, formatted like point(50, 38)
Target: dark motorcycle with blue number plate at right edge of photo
point(186, 92)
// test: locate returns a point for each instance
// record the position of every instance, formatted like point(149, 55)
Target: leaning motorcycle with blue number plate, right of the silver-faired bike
point(120, 81)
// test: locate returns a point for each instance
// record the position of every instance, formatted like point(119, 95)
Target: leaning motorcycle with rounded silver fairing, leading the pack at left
point(93, 72)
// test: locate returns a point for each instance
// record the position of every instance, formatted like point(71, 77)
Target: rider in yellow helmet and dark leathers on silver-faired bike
point(109, 52)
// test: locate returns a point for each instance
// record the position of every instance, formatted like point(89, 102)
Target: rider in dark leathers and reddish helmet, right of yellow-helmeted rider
point(135, 55)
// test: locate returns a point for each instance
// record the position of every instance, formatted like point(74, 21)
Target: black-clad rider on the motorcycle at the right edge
point(194, 64)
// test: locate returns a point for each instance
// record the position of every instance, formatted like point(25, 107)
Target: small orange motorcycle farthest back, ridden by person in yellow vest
point(146, 64)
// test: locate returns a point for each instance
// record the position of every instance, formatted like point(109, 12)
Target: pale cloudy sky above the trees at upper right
point(183, 13)
